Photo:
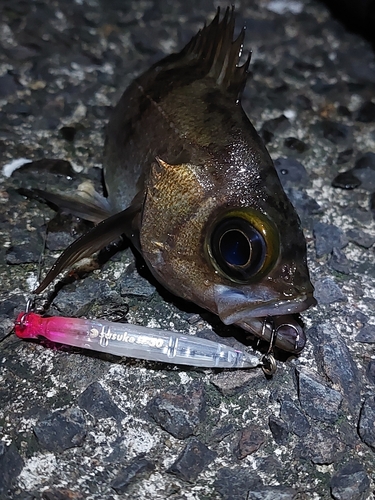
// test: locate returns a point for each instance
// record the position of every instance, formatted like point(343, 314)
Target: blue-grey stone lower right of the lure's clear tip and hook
point(318, 400)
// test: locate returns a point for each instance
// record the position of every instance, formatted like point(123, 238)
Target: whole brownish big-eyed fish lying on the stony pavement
point(191, 185)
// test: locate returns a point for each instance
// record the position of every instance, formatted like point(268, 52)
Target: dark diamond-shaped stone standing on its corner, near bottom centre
point(192, 461)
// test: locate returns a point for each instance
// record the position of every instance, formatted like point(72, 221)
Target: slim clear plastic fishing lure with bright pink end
point(123, 339)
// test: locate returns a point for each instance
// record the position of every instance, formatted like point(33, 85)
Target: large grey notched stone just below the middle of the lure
point(177, 414)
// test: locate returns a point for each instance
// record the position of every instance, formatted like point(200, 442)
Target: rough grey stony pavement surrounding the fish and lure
point(80, 425)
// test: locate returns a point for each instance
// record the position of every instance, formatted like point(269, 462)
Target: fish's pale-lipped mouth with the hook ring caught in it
point(275, 321)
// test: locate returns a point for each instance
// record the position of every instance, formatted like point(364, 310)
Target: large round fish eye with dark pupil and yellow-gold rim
point(243, 244)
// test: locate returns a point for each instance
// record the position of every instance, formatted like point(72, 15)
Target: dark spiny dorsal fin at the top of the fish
point(214, 48)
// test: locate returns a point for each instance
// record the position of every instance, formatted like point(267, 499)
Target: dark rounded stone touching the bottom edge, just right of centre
point(234, 483)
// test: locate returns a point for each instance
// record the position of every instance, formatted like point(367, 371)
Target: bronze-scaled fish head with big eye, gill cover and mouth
point(225, 236)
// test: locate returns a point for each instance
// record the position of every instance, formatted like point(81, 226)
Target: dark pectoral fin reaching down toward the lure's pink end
point(98, 237)
